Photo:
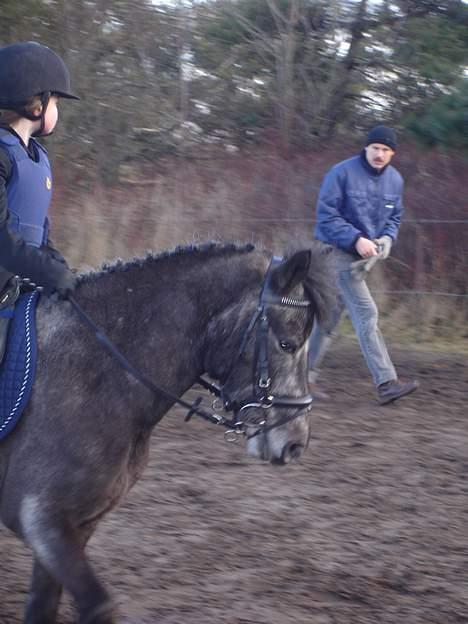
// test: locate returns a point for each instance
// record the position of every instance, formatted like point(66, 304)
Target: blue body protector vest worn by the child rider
point(29, 190)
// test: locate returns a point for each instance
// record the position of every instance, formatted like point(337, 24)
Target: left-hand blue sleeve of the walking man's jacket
point(330, 222)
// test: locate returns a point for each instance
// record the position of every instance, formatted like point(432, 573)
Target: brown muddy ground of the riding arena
point(371, 527)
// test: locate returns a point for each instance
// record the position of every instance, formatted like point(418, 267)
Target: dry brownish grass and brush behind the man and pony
point(262, 198)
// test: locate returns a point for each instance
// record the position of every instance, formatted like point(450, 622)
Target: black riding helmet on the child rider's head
point(28, 69)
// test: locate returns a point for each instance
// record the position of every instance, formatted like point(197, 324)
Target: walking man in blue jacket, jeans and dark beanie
point(358, 212)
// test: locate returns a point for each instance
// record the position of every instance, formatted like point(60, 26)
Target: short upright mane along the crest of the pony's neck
point(213, 248)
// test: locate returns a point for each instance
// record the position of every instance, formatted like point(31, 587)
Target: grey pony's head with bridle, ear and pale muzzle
point(257, 349)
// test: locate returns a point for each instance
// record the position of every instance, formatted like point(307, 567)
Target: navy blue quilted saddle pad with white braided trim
point(18, 369)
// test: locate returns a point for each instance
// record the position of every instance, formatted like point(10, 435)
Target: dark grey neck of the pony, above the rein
point(157, 311)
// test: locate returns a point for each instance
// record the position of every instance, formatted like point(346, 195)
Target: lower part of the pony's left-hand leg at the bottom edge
point(44, 597)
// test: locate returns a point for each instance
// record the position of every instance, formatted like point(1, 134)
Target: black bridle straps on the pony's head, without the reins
point(261, 395)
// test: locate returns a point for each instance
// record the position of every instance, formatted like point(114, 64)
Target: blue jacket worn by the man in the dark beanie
point(357, 200)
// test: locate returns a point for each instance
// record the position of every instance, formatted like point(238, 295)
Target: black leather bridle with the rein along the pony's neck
point(261, 398)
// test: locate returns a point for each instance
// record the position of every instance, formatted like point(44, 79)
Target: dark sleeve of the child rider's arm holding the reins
point(16, 256)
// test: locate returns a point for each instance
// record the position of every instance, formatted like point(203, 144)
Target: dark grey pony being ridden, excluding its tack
point(83, 439)
